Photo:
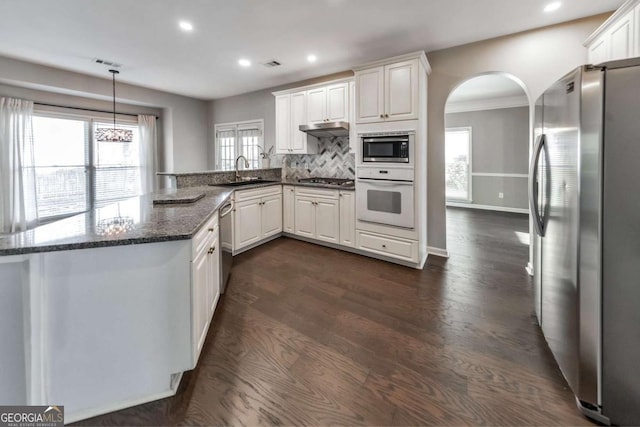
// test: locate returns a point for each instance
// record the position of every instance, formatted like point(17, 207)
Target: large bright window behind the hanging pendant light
point(75, 172)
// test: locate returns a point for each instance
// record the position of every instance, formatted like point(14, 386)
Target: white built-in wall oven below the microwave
point(385, 196)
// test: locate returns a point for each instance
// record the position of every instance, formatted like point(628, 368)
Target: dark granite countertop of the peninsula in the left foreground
point(137, 219)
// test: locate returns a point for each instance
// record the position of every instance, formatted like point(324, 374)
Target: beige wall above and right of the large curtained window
point(184, 120)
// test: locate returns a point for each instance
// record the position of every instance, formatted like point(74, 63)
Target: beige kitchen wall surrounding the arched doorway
point(538, 58)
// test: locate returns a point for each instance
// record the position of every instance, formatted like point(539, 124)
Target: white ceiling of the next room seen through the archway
point(486, 87)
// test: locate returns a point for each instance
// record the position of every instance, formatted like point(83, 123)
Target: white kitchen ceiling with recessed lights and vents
point(144, 37)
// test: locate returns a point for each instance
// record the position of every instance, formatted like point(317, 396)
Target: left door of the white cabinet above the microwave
point(370, 95)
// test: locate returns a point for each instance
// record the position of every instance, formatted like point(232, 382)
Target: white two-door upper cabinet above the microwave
point(389, 91)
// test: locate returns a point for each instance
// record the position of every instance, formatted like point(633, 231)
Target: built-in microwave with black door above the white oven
point(386, 147)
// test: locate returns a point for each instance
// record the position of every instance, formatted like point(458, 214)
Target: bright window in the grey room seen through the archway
point(458, 164)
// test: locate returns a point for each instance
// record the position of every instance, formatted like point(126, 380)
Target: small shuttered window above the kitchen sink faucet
point(234, 139)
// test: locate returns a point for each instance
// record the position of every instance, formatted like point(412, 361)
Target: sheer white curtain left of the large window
point(18, 206)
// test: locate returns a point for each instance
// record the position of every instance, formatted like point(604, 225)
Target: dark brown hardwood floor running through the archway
point(307, 335)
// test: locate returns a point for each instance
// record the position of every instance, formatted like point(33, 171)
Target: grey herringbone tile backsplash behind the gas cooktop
point(332, 161)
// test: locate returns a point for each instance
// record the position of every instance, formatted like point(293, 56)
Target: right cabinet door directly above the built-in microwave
point(401, 90)
